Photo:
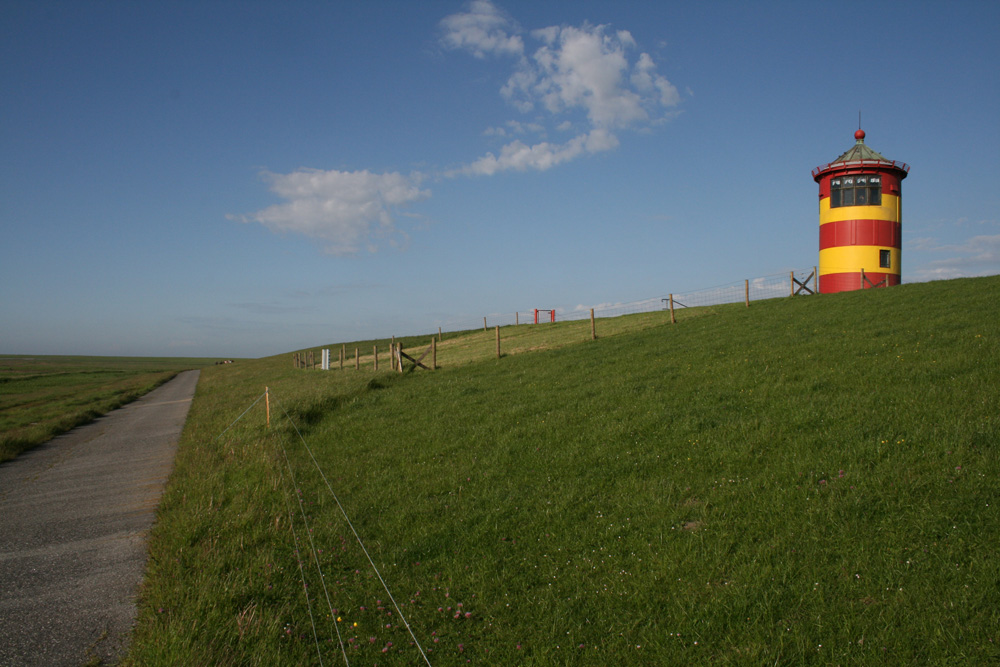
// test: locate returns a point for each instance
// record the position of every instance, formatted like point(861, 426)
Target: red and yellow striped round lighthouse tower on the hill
point(860, 219)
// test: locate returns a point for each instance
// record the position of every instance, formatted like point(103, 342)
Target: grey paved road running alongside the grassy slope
point(74, 520)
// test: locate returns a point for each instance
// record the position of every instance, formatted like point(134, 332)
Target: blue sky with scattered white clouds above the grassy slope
point(244, 179)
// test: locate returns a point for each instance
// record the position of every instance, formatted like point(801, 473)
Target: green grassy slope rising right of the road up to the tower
point(812, 480)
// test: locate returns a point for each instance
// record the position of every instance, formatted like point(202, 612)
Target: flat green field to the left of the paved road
point(43, 396)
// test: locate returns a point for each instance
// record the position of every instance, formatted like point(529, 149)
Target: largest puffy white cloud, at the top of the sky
point(586, 72)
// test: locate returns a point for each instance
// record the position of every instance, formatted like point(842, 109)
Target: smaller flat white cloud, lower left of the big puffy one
point(345, 210)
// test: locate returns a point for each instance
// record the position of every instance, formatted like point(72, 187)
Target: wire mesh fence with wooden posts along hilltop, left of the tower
point(752, 289)
